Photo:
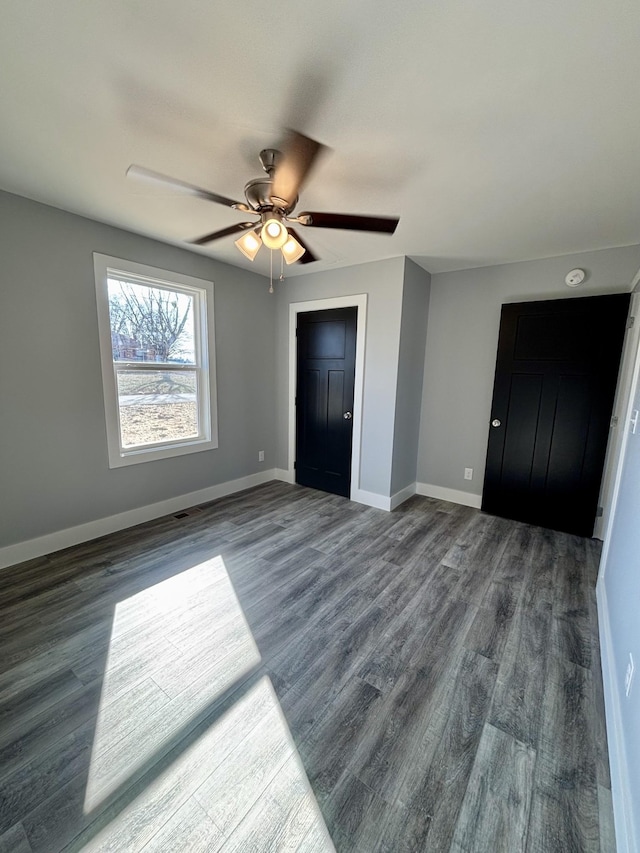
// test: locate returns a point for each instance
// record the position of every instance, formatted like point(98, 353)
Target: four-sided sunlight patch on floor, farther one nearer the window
point(174, 649)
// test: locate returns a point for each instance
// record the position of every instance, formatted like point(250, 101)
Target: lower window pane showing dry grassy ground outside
point(157, 406)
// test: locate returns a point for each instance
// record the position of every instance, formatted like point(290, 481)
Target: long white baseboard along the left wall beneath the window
point(33, 548)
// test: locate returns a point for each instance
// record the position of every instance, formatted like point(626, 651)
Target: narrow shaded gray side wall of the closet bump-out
point(413, 334)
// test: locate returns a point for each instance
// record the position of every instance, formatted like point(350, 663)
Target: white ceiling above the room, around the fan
point(498, 131)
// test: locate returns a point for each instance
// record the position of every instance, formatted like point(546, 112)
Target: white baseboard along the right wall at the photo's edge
point(626, 841)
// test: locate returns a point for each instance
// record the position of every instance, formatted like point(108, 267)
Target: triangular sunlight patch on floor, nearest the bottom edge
point(240, 786)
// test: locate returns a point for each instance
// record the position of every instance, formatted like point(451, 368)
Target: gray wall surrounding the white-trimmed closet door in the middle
point(382, 281)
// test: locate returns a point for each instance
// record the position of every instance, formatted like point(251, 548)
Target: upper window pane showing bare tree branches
point(150, 323)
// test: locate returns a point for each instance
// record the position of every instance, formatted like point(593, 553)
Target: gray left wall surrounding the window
point(54, 471)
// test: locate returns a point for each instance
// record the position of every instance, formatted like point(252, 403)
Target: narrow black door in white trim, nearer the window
point(326, 354)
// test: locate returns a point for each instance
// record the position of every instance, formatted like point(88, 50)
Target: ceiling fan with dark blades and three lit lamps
point(273, 199)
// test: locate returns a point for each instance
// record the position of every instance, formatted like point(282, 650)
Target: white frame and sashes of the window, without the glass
point(106, 267)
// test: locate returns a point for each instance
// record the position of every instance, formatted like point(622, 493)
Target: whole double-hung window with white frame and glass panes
point(156, 344)
